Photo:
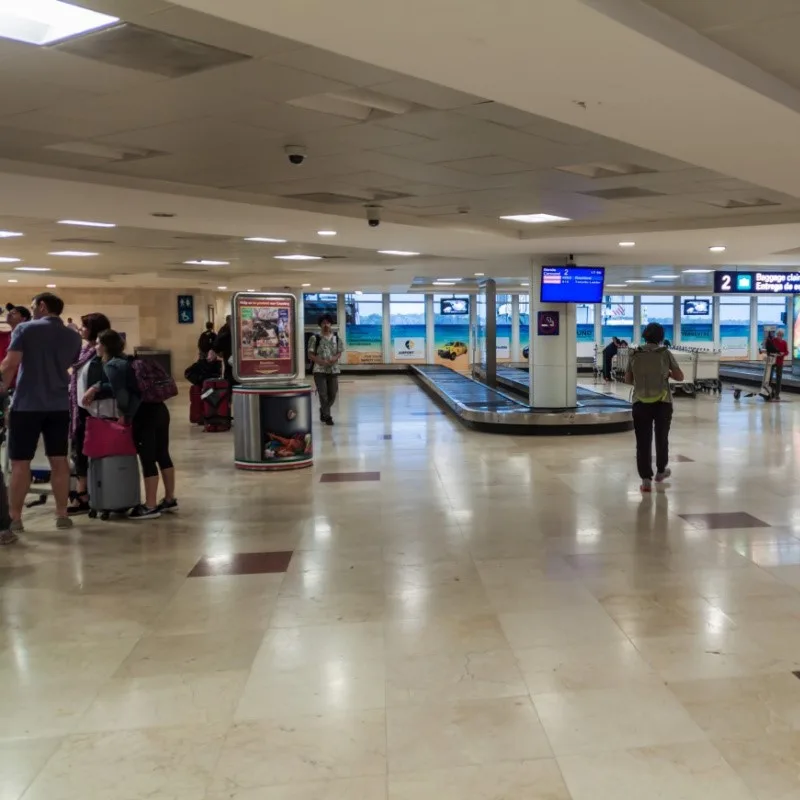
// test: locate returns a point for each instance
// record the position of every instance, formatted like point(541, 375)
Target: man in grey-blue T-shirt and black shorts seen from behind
point(43, 351)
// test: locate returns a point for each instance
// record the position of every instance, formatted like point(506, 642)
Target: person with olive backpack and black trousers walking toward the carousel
point(649, 369)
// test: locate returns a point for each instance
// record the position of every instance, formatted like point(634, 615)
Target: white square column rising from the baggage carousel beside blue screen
point(553, 359)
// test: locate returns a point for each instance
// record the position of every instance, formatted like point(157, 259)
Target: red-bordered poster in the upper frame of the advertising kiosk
point(265, 333)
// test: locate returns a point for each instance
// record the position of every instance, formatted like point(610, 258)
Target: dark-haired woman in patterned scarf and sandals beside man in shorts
point(86, 371)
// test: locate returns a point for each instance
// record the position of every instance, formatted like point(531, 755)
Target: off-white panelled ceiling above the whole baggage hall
point(495, 142)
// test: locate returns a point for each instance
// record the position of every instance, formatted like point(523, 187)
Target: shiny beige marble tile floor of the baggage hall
point(485, 618)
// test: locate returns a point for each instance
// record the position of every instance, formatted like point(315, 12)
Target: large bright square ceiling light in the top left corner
point(46, 21)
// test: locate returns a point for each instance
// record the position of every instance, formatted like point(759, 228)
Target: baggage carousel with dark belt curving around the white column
point(480, 407)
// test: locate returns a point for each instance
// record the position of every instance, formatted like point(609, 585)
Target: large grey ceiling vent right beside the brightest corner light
point(134, 47)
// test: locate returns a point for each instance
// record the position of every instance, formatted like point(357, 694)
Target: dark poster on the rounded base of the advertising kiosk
point(286, 428)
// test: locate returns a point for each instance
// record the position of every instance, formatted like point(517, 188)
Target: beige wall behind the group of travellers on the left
point(157, 312)
